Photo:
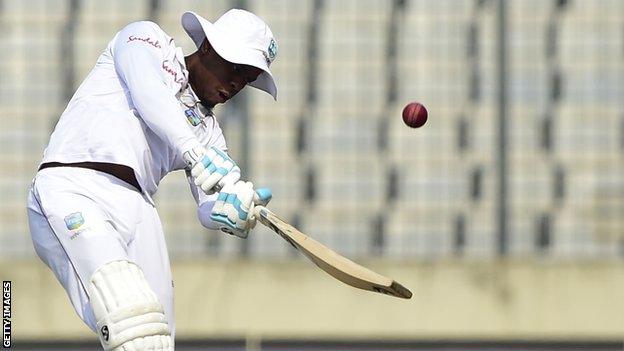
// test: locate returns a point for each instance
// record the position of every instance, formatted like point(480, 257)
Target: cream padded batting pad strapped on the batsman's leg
point(129, 316)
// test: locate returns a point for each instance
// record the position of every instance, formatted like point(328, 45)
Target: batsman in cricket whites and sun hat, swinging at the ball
point(143, 111)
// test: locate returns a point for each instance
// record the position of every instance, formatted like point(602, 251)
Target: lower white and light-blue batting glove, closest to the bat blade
point(233, 210)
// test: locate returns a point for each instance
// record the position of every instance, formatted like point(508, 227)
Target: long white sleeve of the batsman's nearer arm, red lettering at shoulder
point(138, 53)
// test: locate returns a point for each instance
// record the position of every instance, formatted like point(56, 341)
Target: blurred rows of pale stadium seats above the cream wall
point(341, 163)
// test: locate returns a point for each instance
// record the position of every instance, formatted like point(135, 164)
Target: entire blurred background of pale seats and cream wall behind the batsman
point(504, 214)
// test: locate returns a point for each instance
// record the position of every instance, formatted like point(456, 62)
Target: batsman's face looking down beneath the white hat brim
point(216, 80)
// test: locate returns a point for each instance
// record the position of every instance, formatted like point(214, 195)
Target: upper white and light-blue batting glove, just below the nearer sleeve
point(211, 169)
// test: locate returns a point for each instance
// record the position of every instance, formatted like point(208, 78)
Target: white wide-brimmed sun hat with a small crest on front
point(239, 37)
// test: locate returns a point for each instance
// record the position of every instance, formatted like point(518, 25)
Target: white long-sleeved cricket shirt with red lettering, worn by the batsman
point(134, 109)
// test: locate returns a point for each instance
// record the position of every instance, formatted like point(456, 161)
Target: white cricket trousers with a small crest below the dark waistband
point(81, 219)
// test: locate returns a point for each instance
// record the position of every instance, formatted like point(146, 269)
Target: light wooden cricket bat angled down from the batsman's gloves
point(331, 262)
